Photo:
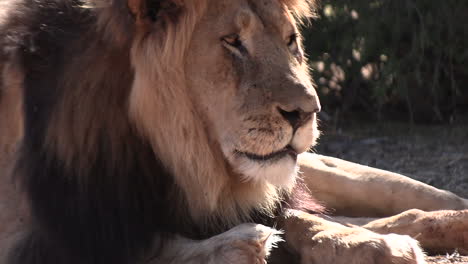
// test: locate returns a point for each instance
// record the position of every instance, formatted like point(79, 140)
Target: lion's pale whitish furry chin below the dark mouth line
point(281, 172)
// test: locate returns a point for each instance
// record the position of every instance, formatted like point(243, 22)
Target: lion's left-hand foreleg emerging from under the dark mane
point(243, 244)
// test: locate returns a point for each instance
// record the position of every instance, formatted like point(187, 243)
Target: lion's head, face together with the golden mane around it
point(239, 98)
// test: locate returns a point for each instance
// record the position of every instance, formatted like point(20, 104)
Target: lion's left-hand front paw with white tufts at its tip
point(246, 244)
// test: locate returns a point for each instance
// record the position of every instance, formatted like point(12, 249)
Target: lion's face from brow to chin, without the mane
point(246, 72)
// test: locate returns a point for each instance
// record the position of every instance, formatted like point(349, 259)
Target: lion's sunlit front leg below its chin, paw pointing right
point(318, 240)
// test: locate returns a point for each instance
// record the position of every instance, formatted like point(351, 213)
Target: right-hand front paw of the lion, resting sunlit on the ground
point(357, 245)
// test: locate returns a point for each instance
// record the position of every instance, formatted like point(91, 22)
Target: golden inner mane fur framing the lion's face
point(149, 104)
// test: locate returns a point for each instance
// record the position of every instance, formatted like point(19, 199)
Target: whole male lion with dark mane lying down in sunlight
point(175, 131)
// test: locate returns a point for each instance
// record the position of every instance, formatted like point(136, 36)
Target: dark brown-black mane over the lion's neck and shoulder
point(104, 207)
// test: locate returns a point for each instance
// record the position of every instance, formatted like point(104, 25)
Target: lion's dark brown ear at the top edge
point(147, 11)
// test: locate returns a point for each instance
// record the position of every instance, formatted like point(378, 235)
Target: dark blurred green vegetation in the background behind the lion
point(391, 59)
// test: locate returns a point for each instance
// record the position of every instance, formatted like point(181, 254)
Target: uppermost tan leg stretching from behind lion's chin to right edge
point(356, 190)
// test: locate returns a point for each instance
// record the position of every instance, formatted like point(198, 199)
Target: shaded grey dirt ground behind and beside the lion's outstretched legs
point(435, 154)
